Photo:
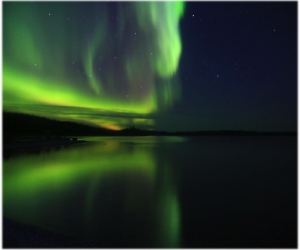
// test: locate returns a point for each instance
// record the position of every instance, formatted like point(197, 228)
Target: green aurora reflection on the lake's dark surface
point(117, 193)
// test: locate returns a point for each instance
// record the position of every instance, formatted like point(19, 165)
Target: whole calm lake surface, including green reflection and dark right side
point(160, 191)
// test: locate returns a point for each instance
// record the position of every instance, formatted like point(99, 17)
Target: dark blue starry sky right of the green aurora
point(238, 67)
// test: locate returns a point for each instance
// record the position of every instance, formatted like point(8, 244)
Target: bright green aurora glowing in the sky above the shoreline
point(105, 64)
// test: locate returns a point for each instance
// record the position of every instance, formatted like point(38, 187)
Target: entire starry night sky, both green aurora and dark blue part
point(156, 65)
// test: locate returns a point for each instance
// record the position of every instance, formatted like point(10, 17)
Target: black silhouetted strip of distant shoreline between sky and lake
point(18, 124)
